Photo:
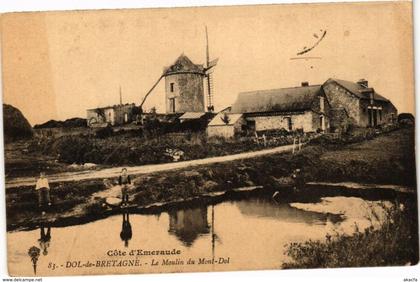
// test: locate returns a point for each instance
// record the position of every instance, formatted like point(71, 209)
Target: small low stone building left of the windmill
point(112, 115)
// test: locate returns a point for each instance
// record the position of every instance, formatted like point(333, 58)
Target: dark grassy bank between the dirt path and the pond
point(389, 158)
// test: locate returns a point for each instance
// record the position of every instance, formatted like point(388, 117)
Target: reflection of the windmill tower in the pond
point(188, 224)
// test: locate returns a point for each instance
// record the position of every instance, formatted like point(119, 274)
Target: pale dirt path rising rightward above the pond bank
point(134, 170)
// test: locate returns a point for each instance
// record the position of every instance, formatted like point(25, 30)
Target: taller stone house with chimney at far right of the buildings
point(364, 106)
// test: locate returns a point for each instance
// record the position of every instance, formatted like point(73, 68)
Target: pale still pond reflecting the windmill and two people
point(245, 234)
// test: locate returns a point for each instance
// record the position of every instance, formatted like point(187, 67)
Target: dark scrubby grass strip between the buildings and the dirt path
point(54, 155)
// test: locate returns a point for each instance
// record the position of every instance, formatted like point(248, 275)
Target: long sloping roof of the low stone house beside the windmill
point(276, 100)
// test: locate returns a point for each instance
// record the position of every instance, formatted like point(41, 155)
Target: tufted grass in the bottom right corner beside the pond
point(395, 242)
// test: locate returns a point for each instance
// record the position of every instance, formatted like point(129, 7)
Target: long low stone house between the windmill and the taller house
point(303, 108)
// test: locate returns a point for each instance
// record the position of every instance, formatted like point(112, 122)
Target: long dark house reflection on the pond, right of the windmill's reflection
point(265, 207)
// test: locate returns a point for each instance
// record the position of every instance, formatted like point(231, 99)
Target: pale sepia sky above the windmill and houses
point(55, 65)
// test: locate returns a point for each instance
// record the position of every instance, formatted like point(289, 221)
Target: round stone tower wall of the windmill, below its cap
point(188, 92)
